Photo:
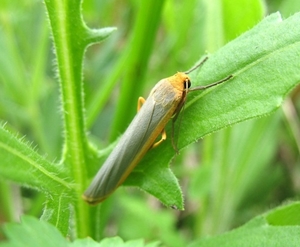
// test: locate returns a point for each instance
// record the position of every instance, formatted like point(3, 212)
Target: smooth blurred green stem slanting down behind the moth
point(139, 51)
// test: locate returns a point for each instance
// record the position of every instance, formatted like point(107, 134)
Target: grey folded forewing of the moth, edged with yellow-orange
point(147, 119)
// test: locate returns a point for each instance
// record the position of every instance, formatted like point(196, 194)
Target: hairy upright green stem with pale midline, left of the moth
point(67, 28)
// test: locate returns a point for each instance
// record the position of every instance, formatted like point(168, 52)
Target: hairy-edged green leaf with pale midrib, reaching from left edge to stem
point(23, 165)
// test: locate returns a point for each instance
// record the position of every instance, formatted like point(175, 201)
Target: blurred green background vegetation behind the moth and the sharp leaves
point(227, 178)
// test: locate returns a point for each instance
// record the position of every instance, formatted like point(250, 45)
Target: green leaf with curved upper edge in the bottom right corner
point(258, 232)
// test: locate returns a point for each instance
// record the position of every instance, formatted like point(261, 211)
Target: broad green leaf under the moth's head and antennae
point(264, 63)
